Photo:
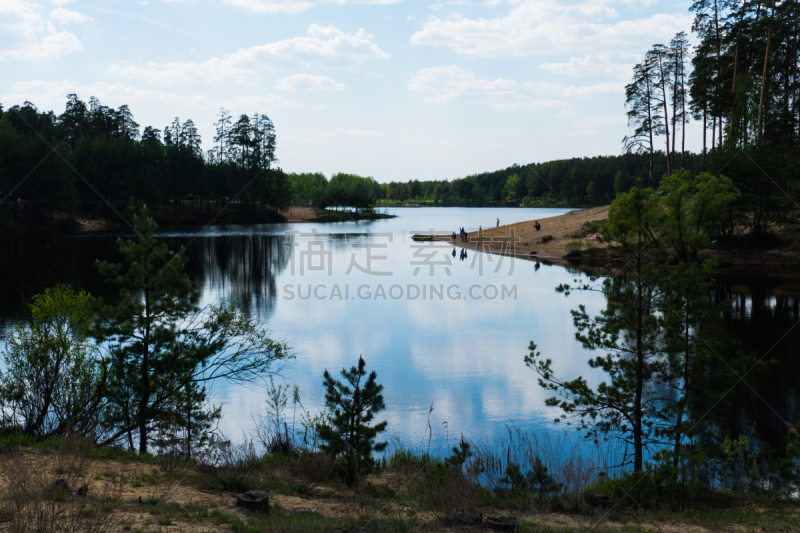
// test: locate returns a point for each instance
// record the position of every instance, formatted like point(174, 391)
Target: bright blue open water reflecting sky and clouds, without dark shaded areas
point(460, 353)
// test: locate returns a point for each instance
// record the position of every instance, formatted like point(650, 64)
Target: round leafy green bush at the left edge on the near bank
point(54, 380)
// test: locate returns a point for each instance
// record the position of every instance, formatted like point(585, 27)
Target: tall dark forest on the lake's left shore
point(93, 156)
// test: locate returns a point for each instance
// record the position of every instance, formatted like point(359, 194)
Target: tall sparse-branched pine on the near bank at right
point(629, 330)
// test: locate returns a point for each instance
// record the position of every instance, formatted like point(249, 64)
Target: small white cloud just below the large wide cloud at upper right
point(447, 83)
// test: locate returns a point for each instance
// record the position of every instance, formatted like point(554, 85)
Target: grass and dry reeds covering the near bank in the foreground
point(411, 492)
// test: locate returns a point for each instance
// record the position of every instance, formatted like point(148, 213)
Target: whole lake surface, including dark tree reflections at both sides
point(442, 332)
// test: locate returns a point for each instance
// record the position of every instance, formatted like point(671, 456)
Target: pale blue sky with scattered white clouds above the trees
point(394, 89)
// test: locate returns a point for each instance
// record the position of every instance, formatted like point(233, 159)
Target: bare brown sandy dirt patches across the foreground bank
point(137, 485)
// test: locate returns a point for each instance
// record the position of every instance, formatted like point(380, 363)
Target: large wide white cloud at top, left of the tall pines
point(549, 27)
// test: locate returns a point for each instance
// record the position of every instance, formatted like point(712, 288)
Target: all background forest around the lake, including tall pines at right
point(739, 82)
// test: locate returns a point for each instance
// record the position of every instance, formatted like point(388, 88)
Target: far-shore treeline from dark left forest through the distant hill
point(95, 157)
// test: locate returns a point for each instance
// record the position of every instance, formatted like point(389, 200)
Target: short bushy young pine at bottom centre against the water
point(352, 405)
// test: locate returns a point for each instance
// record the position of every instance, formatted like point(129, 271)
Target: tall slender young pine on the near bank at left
point(155, 296)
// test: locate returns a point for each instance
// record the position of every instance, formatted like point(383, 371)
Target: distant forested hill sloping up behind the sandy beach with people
point(576, 181)
